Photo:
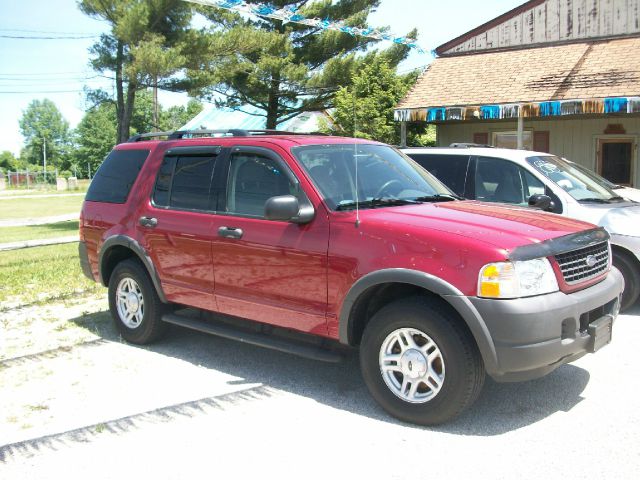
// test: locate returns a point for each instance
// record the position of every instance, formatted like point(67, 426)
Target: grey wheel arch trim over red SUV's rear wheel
point(120, 247)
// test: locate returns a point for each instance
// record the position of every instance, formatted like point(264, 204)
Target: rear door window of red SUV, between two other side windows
point(185, 183)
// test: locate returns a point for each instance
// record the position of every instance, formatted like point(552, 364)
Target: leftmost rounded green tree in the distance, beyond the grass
point(44, 128)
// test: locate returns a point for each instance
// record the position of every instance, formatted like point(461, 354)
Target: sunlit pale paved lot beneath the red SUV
point(199, 406)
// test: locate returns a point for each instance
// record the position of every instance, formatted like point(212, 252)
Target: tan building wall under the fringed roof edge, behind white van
point(575, 139)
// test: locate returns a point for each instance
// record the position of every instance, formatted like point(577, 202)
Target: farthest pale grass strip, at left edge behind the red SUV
point(17, 208)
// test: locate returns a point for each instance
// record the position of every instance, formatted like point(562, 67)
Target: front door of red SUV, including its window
point(271, 271)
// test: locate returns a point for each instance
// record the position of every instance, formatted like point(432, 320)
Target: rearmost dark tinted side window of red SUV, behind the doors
point(115, 177)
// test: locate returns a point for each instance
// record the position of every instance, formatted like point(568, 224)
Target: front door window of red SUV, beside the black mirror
point(253, 179)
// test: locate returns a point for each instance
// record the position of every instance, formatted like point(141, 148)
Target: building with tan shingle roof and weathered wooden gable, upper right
point(559, 76)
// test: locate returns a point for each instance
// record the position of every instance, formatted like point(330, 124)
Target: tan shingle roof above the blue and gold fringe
point(571, 71)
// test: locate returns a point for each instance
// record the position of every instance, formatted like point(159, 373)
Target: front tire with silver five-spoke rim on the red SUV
point(419, 364)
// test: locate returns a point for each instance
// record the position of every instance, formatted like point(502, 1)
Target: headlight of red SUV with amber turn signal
point(517, 279)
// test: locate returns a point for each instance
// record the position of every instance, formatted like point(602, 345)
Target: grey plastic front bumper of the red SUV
point(533, 336)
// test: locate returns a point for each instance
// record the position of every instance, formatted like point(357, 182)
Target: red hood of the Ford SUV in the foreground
point(504, 226)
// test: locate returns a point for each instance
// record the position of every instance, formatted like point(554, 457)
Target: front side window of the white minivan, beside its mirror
point(498, 180)
